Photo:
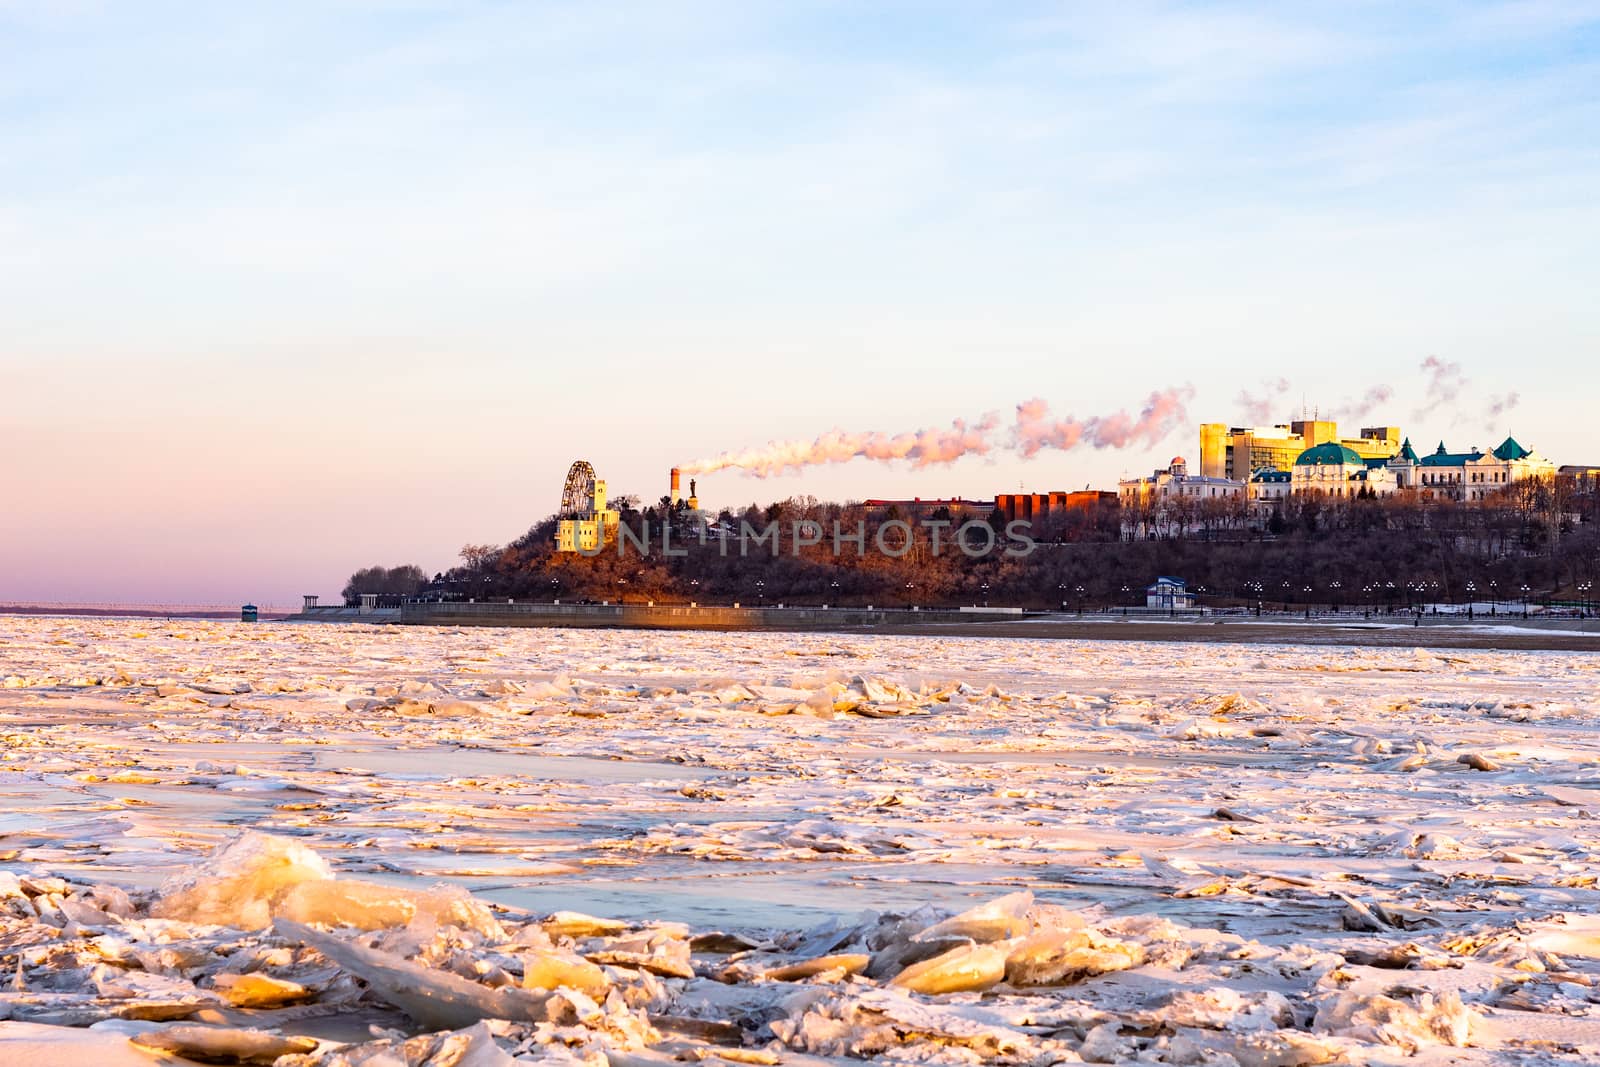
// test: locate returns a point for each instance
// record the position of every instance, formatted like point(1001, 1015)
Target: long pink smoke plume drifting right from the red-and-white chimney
point(1033, 433)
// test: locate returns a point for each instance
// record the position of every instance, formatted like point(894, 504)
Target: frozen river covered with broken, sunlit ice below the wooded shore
point(1311, 852)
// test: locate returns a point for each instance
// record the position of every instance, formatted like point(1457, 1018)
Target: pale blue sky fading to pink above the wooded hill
point(295, 289)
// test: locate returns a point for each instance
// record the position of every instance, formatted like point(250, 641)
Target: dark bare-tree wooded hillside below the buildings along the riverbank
point(1386, 553)
